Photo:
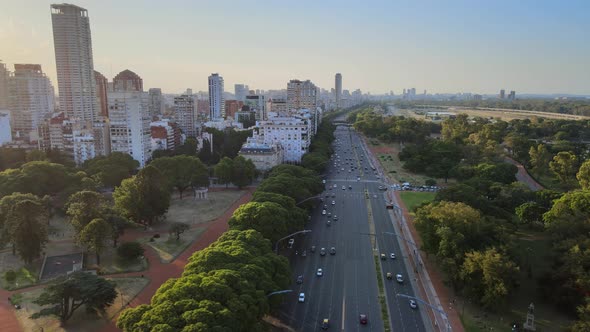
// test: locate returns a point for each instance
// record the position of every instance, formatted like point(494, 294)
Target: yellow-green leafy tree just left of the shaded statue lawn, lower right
point(489, 276)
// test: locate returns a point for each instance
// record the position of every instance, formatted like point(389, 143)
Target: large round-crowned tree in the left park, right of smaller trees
point(144, 197)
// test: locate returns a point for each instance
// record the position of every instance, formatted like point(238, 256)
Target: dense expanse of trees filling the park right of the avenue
point(500, 245)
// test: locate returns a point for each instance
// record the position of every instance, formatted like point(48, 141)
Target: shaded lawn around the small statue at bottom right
point(532, 248)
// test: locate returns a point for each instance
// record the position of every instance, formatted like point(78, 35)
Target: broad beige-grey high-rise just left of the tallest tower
point(31, 99)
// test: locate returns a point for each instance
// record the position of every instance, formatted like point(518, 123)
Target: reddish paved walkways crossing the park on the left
point(157, 272)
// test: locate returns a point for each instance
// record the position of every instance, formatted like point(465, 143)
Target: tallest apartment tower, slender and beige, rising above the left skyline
point(73, 57)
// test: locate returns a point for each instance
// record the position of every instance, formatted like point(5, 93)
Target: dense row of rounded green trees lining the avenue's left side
point(225, 286)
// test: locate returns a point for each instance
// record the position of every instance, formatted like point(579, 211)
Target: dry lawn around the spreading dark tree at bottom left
point(127, 289)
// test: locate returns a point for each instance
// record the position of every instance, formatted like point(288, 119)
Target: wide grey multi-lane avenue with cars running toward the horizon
point(348, 286)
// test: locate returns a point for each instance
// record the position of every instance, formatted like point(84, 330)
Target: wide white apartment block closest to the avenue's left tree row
point(292, 133)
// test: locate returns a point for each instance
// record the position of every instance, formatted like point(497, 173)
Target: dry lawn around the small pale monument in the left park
point(192, 212)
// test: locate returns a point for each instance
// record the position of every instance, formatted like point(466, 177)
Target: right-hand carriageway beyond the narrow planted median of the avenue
point(410, 317)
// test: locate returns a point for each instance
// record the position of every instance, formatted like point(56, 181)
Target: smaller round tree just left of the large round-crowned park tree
point(83, 207)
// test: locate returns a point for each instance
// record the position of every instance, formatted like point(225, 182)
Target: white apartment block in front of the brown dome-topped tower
point(130, 124)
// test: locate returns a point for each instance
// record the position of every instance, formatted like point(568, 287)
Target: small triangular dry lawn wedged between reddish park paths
point(168, 248)
